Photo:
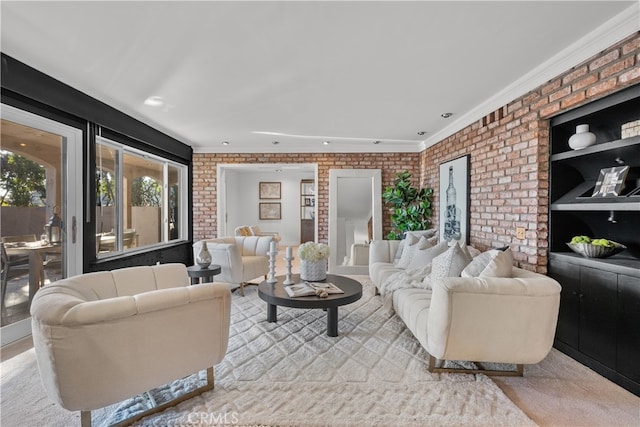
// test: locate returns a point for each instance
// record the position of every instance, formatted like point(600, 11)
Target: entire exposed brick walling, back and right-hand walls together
point(509, 151)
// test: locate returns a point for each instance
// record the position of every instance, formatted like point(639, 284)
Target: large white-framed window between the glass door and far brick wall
point(141, 199)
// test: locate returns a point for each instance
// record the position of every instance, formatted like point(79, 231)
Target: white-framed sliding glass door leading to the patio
point(41, 210)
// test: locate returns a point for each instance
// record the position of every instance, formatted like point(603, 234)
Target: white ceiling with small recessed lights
point(347, 72)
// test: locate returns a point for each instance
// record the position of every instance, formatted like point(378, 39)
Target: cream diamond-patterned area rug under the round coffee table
point(290, 373)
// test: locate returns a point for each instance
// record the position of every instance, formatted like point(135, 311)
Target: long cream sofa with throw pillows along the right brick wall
point(479, 319)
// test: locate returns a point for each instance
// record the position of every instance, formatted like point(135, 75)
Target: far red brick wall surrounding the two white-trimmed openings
point(205, 181)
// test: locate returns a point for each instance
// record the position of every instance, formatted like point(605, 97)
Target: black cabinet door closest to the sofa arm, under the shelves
point(568, 275)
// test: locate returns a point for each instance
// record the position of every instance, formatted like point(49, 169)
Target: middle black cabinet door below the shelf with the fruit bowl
point(598, 306)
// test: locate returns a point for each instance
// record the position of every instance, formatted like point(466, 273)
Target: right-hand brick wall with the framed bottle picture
point(509, 151)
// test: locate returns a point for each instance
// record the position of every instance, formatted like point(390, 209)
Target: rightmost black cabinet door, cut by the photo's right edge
point(628, 327)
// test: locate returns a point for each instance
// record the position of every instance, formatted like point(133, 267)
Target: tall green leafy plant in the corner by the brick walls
point(412, 206)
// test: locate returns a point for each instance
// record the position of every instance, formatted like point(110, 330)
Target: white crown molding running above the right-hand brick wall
point(611, 32)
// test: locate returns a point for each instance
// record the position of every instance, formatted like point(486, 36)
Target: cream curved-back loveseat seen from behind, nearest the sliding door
point(103, 337)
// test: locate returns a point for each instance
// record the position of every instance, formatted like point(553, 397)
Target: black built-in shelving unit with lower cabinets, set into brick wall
point(599, 315)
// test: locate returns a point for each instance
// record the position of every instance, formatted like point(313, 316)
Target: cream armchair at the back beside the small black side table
point(241, 258)
